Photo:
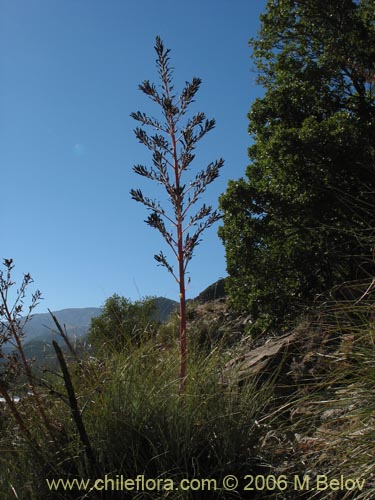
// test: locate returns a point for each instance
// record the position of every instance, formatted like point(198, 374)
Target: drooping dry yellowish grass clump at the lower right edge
point(331, 426)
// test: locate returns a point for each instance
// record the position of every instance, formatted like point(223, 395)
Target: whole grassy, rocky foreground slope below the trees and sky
point(302, 411)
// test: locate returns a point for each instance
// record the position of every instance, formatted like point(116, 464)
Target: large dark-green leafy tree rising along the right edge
point(303, 219)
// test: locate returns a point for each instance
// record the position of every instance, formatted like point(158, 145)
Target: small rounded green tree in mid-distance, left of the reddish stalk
point(123, 323)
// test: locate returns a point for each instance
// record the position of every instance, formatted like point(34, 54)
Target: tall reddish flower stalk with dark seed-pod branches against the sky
point(173, 145)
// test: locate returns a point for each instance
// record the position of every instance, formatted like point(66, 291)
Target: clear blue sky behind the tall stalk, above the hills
point(69, 75)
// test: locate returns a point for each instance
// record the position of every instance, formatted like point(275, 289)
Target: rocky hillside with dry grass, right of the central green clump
point(321, 416)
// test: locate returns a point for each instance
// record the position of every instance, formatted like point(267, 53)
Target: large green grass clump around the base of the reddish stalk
point(140, 423)
